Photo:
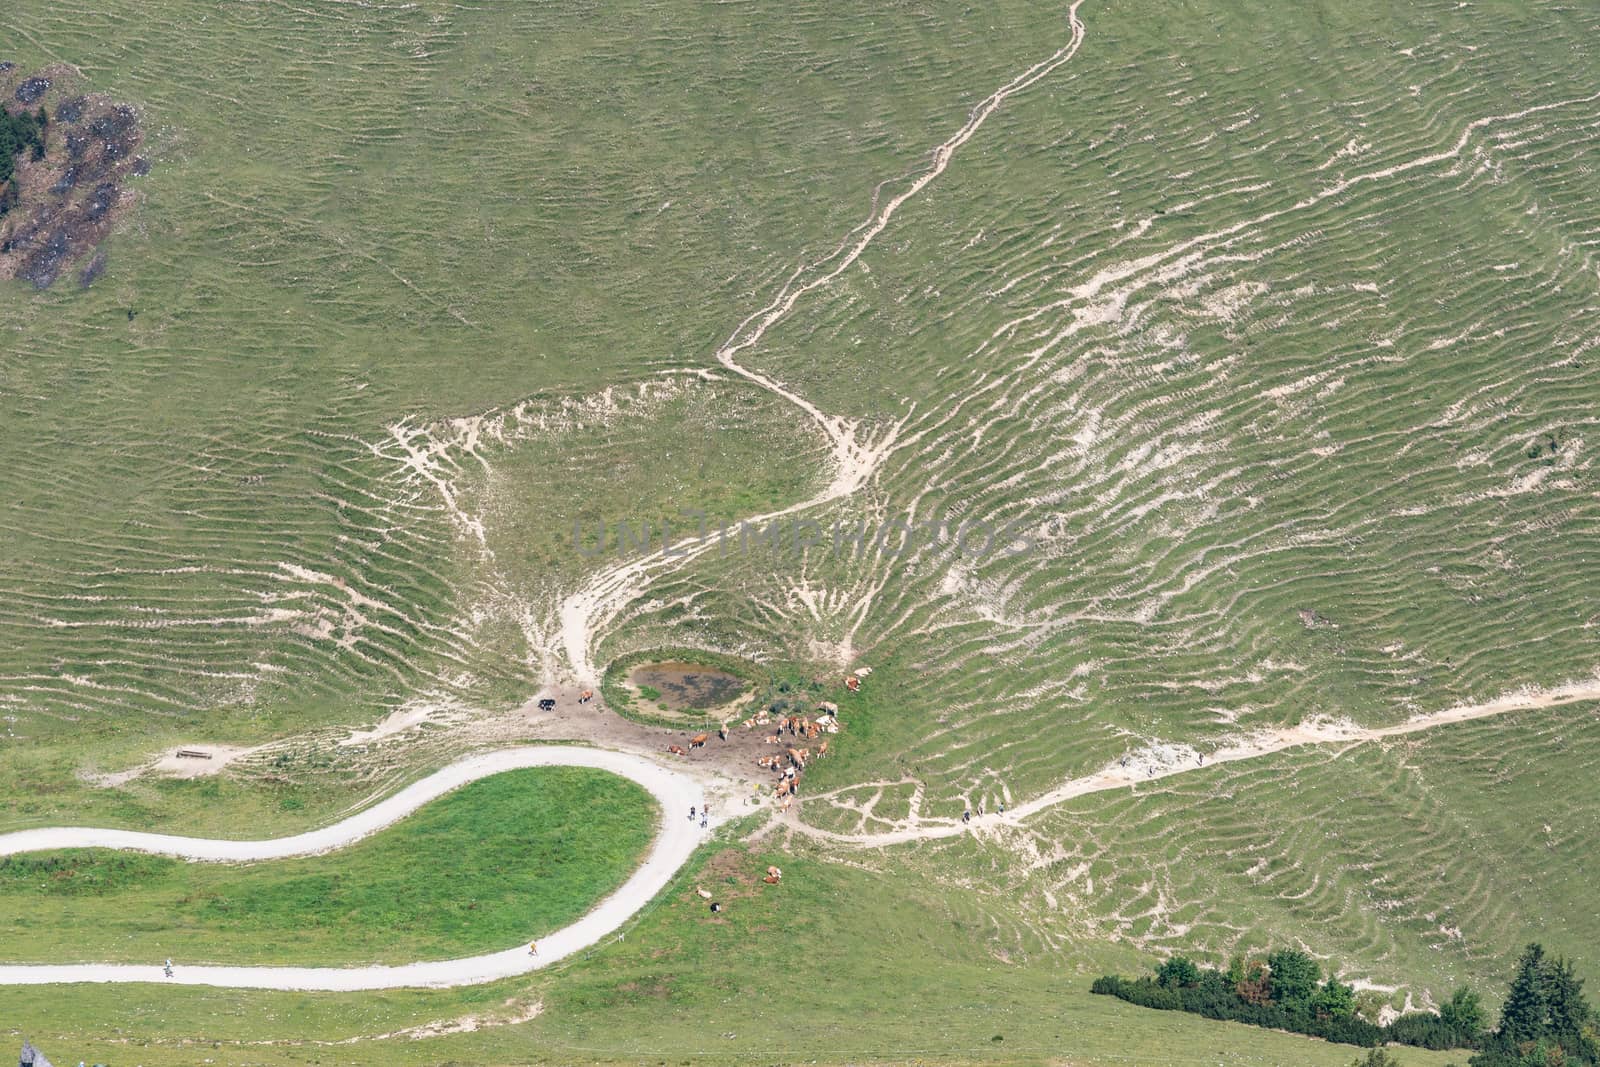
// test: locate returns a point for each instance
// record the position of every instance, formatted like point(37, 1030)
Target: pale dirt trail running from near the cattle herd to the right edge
point(1252, 748)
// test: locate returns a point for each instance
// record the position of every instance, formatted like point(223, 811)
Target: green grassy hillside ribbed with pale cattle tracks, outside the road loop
point(1268, 327)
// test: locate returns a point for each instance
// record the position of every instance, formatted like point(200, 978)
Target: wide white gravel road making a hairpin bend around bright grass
point(676, 842)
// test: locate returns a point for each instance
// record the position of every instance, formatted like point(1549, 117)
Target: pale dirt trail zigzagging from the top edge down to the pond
point(590, 610)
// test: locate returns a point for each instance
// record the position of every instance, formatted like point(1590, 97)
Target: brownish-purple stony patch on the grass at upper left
point(57, 210)
